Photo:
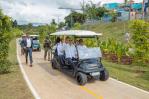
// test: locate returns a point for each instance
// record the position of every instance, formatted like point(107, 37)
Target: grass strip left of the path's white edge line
point(12, 85)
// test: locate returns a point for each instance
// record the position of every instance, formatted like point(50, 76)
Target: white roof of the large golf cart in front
point(76, 33)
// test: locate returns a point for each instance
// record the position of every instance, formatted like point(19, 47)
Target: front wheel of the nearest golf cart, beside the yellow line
point(81, 78)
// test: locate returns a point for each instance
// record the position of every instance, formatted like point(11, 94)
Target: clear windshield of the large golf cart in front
point(89, 53)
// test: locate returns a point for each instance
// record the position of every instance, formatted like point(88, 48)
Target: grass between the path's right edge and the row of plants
point(129, 74)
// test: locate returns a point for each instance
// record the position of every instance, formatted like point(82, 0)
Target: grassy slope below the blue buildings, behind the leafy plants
point(115, 30)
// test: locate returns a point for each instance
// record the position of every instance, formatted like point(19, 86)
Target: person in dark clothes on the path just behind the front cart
point(47, 48)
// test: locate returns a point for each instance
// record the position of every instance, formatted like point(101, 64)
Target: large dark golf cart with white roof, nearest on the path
point(88, 64)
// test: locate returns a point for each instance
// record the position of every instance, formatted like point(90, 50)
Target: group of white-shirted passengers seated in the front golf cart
point(67, 50)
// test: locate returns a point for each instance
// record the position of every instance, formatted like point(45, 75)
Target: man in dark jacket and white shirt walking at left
point(28, 42)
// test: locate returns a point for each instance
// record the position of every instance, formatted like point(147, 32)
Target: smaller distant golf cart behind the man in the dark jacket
point(36, 43)
